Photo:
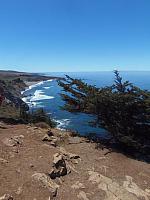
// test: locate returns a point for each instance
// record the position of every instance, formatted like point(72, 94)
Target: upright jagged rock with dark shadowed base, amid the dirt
point(59, 166)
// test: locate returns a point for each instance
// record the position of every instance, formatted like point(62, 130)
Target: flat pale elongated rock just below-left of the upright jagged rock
point(45, 181)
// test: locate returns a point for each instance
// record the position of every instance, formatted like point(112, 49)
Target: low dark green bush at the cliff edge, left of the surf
point(37, 117)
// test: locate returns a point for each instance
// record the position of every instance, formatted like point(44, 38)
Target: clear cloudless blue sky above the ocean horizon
point(74, 35)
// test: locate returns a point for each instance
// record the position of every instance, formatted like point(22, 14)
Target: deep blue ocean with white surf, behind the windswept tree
point(46, 95)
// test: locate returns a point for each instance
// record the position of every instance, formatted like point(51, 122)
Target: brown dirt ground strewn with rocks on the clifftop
point(26, 162)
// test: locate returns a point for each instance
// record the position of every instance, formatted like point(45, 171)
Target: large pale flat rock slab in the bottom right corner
point(113, 190)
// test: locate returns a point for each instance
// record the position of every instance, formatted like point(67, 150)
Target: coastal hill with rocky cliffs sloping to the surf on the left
point(11, 85)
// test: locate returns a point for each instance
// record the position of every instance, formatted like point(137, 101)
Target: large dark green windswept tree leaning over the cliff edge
point(123, 109)
